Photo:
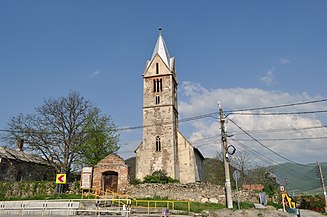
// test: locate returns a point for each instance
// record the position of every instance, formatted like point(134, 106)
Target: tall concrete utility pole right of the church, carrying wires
point(228, 188)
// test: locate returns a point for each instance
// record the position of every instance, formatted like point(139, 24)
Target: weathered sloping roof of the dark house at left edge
point(12, 154)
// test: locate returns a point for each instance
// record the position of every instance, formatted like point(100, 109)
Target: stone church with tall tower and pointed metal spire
point(163, 146)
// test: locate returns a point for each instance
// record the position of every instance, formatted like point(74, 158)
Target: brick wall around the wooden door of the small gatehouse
point(112, 163)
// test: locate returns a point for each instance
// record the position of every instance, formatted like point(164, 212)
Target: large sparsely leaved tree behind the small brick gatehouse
point(63, 130)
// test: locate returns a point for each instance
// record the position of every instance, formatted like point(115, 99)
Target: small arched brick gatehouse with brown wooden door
point(110, 174)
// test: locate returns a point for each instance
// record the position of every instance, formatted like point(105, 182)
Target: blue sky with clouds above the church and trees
point(245, 54)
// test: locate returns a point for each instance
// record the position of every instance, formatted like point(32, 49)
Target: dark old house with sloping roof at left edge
point(16, 165)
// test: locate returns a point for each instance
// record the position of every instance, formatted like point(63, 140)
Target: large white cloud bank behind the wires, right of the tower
point(196, 100)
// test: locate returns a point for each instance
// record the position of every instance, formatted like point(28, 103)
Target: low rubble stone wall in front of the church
point(197, 192)
